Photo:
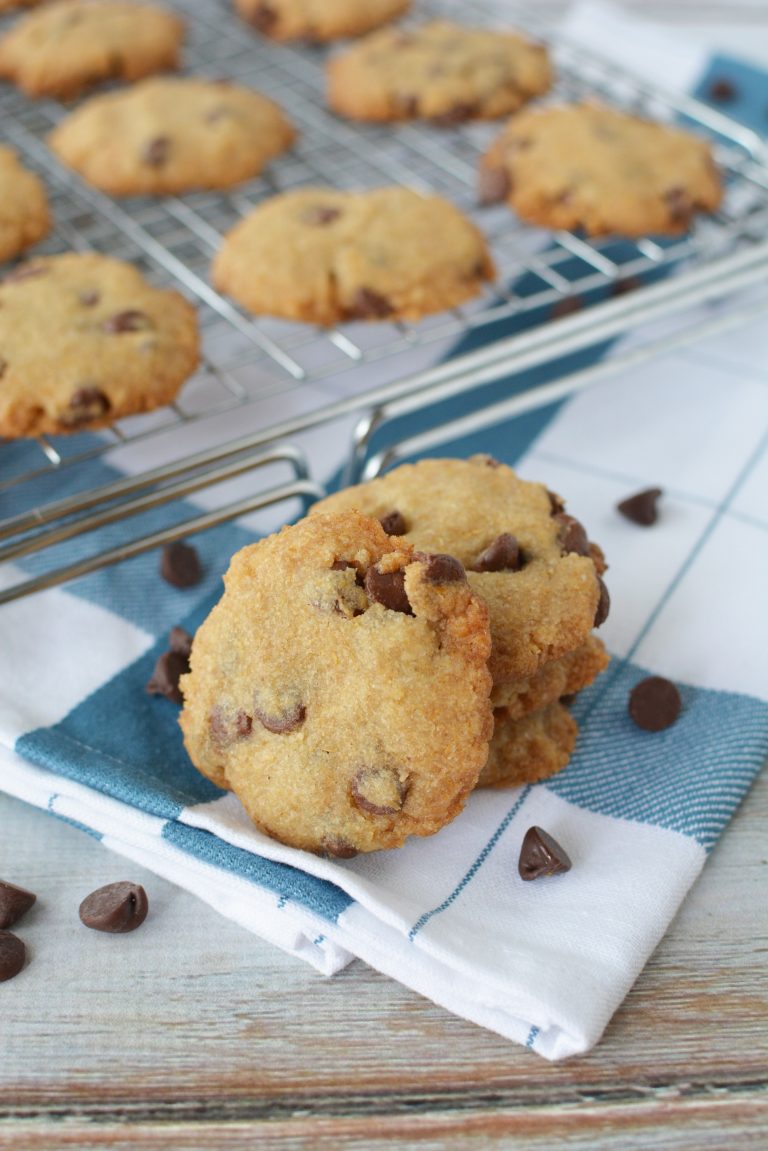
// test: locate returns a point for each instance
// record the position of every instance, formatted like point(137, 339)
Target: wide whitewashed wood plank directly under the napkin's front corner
point(194, 1009)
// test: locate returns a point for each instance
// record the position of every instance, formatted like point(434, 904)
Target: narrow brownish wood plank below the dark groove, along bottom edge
point(673, 1124)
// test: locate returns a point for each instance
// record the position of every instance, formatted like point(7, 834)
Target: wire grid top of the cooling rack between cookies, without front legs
point(246, 359)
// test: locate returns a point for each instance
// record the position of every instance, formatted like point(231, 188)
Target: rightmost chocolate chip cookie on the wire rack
point(590, 167)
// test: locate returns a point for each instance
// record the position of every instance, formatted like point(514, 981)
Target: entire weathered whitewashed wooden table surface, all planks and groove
point(193, 1034)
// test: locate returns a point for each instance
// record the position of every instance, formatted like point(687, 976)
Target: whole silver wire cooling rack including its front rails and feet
point(542, 277)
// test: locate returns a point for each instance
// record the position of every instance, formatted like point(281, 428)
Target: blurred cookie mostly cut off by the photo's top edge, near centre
point(318, 20)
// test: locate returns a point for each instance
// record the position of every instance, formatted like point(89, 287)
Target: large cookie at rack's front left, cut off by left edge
point(86, 340)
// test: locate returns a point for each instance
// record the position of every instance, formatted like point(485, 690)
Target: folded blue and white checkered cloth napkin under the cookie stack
point(545, 964)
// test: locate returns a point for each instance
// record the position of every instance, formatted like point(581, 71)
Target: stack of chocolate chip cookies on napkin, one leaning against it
point(412, 639)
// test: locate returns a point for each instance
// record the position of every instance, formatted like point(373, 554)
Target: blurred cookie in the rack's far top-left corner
point(71, 45)
